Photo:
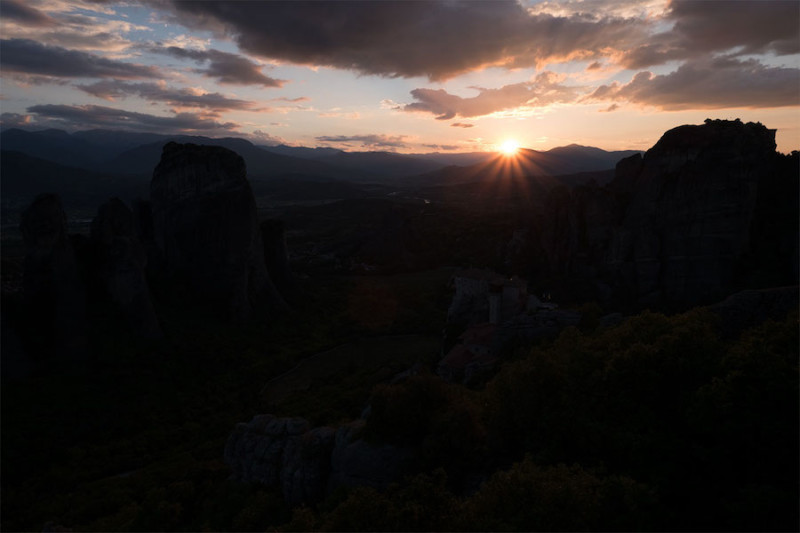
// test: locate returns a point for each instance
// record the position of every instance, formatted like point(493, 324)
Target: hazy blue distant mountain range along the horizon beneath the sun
point(121, 163)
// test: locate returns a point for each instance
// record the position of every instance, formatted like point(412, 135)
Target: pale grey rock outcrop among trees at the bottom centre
point(305, 463)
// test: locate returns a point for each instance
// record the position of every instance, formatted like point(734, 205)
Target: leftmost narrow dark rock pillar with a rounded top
point(54, 292)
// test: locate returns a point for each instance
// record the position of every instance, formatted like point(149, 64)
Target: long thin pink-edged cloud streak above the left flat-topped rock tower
point(159, 92)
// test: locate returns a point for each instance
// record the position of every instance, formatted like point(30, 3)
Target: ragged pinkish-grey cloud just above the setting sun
point(544, 90)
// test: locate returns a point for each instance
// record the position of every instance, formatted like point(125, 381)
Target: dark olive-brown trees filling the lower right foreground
point(657, 424)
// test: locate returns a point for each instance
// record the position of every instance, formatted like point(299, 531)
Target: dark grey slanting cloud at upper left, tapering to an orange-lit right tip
point(223, 66)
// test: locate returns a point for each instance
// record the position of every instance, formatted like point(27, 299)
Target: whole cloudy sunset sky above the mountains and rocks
point(408, 76)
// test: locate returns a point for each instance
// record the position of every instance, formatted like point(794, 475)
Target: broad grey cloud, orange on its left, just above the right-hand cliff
point(709, 84)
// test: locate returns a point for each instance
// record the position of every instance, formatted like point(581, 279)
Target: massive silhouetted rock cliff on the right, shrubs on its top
point(682, 225)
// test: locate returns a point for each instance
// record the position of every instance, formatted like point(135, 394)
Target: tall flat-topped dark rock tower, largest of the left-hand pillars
point(206, 227)
